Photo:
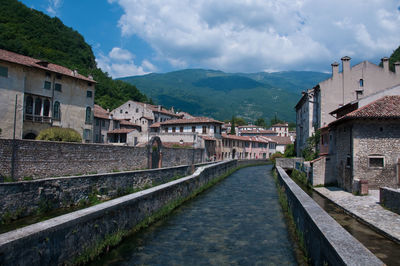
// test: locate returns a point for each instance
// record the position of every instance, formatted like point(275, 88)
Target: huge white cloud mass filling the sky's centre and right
point(252, 35)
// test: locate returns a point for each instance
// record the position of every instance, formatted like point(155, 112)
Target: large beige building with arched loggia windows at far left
point(46, 95)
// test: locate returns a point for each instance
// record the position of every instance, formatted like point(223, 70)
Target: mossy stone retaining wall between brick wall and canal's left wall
point(28, 197)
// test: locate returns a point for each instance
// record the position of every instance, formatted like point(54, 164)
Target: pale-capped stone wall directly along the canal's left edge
point(62, 239)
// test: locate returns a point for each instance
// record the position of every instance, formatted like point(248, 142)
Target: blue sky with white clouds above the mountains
point(137, 37)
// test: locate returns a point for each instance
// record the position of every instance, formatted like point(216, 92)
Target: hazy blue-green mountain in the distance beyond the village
point(221, 95)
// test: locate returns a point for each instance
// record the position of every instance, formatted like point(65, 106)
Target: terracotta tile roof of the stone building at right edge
point(387, 107)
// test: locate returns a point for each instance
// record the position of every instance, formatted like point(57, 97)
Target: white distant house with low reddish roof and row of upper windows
point(198, 132)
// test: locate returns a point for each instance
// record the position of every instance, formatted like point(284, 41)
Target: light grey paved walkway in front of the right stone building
point(366, 209)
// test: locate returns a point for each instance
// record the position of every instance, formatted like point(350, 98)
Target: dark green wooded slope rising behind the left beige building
point(29, 32)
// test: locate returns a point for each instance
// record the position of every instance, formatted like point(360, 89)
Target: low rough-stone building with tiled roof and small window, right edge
point(365, 144)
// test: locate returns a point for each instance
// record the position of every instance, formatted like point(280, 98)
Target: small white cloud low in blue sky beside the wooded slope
point(119, 63)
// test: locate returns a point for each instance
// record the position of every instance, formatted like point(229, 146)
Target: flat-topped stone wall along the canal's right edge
point(326, 242)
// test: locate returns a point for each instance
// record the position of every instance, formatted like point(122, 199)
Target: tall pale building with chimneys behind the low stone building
point(352, 83)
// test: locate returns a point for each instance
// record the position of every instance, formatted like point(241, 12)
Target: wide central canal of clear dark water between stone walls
point(238, 221)
